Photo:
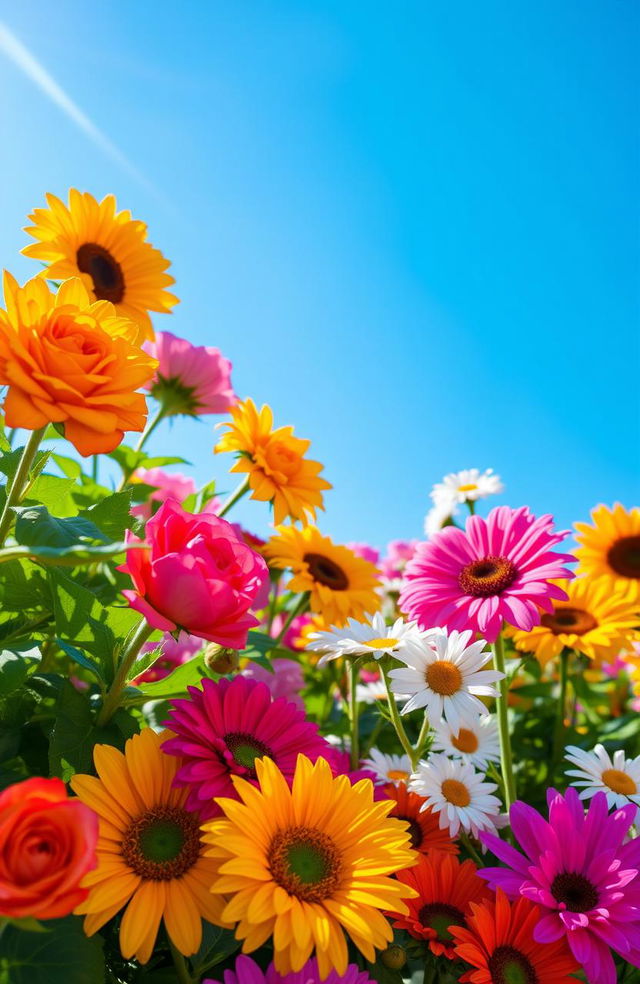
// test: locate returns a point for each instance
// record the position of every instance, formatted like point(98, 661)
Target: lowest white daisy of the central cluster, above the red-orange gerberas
point(458, 793)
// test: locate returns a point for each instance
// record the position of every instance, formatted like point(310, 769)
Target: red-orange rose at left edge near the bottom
point(47, 845)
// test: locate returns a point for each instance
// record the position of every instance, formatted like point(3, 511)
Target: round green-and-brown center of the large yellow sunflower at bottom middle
point(305, 862)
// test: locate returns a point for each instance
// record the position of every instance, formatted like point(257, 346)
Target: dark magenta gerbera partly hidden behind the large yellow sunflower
point(222, 729)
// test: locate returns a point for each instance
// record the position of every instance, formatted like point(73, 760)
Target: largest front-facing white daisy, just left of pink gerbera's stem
point(442, 674)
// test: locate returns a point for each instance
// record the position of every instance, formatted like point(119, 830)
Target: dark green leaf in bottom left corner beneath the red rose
point(63, 955)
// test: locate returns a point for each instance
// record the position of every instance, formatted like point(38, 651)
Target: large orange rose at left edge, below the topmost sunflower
point(68, 361)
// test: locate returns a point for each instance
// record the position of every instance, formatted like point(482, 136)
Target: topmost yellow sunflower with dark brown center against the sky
point(107, 250)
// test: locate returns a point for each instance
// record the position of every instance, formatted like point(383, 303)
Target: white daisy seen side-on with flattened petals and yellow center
point(372, 637)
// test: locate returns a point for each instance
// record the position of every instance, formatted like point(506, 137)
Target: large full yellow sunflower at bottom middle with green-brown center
point(304, 865)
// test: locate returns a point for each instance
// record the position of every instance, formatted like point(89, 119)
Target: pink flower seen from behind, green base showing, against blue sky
point(191, 379)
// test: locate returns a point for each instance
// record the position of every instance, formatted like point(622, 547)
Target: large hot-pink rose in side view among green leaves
point(195, 573)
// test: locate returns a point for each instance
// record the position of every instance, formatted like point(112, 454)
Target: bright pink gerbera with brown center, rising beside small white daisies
point(497, 569)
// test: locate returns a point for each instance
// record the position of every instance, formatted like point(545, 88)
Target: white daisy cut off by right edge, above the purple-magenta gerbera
point(597, 772)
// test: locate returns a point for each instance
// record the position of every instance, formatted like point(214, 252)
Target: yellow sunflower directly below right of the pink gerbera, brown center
point(594, 620)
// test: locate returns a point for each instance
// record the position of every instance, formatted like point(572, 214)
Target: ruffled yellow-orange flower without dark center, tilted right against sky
point(275, 462)
